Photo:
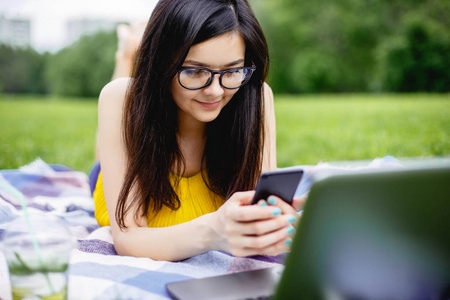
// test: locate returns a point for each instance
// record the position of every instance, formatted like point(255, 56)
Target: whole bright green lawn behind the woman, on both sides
point(309, 128)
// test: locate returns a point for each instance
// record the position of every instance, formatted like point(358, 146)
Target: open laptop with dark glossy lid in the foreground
point(374, 234)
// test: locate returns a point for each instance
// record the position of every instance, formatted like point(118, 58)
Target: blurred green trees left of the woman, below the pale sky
point(81, 69)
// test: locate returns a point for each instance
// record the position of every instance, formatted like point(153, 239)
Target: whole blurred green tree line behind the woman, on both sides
point(315, 47)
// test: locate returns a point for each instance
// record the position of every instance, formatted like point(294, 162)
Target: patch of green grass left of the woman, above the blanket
point(57, 131)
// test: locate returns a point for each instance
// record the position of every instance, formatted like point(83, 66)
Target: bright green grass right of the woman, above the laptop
point(311, 129)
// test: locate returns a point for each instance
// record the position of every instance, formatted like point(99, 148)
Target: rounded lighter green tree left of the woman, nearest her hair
point(83, 68)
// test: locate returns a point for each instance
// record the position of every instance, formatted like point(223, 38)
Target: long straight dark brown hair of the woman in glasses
point(233, 151)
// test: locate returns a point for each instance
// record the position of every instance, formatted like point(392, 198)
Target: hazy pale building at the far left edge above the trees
point(15, 31)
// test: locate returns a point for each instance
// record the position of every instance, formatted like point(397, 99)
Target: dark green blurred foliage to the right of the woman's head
point(354, 45)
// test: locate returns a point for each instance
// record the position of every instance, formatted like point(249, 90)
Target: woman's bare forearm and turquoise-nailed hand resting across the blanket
point(237, 228)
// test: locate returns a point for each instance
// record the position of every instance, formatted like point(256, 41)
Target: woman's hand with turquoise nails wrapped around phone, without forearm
point(245, 230)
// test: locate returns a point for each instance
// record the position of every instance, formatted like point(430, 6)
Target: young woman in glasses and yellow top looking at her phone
point(183, 142)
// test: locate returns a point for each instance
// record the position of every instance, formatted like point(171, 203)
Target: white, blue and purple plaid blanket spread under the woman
point(95, 270)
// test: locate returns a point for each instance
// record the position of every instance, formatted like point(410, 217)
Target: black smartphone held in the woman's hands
point(281, 183)
